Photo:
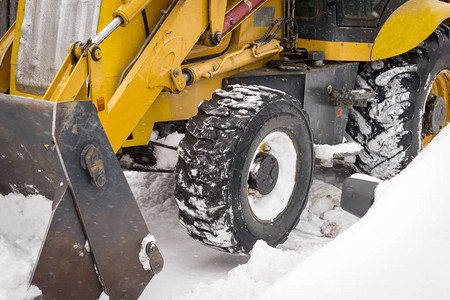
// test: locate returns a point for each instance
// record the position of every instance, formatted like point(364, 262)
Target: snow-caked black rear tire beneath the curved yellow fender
point(390, 127)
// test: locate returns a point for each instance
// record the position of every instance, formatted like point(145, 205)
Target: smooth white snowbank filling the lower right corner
point(399, 250)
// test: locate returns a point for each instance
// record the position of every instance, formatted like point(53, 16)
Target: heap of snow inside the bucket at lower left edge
point(23, 222)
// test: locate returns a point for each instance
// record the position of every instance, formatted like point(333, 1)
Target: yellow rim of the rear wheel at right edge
point(440, 88)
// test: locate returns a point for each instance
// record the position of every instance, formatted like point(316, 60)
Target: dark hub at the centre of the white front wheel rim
point(265, 177)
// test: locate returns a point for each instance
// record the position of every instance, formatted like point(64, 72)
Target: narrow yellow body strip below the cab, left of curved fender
point(341, 51)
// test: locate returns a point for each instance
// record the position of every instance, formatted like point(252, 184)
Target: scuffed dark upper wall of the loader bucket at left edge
point(25, 165)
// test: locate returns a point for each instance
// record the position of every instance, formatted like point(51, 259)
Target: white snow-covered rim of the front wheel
point(267, 207)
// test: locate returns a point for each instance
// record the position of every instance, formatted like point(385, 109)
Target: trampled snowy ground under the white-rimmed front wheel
point(191, 268)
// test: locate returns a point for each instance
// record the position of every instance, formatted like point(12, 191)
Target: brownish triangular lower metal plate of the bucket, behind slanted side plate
point(65, 269)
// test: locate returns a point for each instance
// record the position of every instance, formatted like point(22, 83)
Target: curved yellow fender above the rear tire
point(408, 26)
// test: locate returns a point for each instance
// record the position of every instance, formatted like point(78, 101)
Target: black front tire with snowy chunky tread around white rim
point(214, 159)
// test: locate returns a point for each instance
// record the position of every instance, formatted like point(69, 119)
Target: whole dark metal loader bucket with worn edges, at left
point(97, 239)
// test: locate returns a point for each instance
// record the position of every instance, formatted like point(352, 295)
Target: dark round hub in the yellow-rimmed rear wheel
point(434, 117)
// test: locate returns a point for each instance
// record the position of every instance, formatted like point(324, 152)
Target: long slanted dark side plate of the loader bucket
point(110, 216)
